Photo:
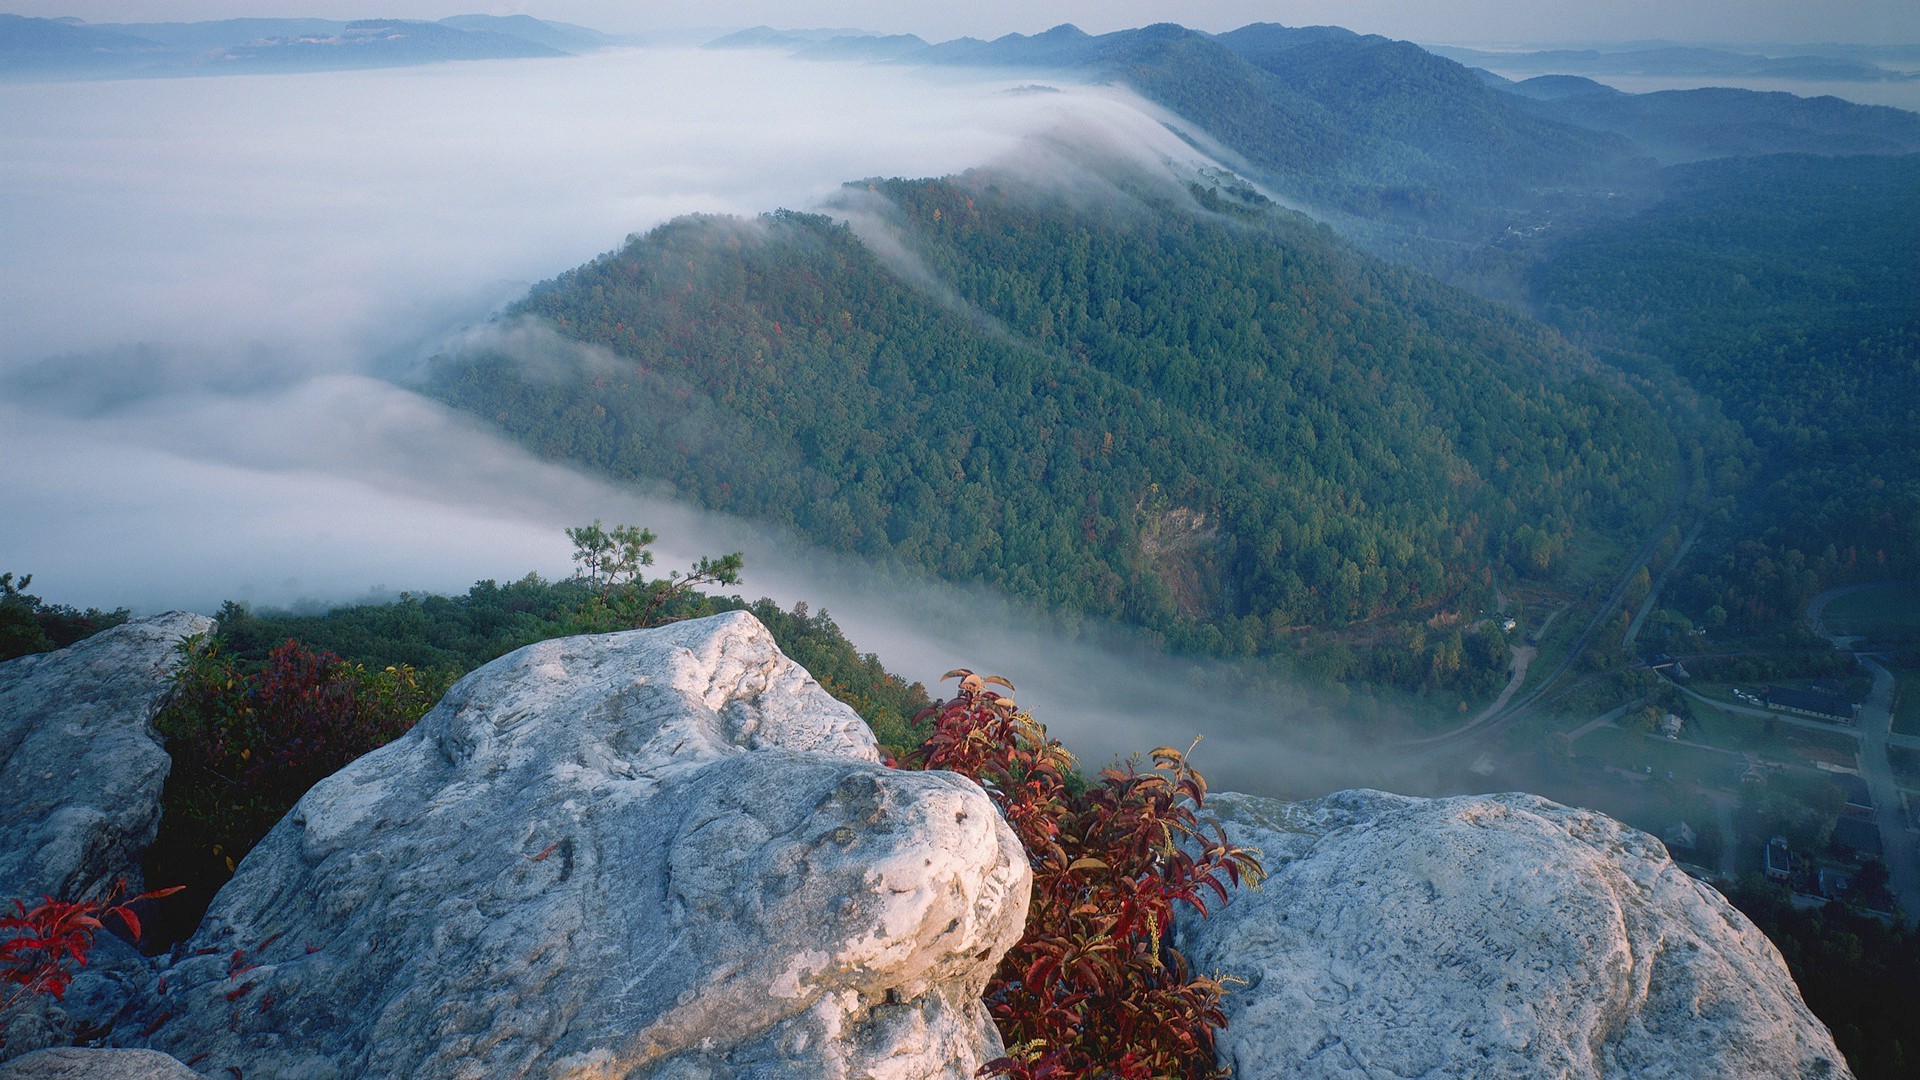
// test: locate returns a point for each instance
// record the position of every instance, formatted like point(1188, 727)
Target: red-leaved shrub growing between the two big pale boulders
point(1093, 989)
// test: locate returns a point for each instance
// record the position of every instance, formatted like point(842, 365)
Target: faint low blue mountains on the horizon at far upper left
point(70, 49)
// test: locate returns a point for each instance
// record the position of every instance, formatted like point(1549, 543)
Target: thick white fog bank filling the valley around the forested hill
point(210, 287)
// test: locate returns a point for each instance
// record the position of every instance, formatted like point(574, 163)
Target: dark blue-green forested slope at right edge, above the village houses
point(1788, 291)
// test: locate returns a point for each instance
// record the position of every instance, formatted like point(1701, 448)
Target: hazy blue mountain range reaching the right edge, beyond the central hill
point(1406, 151)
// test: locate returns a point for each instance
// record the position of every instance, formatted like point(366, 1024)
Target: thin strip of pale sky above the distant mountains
point(1489, 22)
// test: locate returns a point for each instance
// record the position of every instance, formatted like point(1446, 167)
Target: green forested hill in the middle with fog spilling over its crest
point(1220, 428)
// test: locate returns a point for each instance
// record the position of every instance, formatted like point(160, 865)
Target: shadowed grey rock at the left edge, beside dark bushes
point(80, 762)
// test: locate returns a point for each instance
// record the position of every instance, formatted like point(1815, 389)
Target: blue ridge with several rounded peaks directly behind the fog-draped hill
point(1351, 124)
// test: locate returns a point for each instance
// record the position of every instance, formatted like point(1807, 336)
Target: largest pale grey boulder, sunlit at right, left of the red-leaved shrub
point(648, 854)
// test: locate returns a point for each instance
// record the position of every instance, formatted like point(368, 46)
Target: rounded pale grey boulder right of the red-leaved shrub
point(1489, 937)
